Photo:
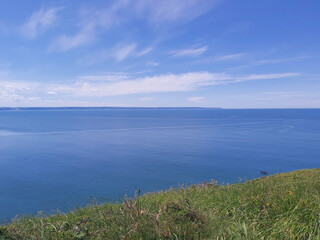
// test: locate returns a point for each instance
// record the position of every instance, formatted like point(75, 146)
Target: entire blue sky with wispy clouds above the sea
point(160, 53)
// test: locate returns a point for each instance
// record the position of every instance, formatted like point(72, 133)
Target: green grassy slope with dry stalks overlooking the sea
point(283, 206)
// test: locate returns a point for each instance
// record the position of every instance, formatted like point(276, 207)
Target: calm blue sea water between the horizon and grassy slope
point(57, 159)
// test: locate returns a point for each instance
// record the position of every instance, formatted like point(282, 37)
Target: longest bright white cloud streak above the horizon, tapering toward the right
point(159, 83)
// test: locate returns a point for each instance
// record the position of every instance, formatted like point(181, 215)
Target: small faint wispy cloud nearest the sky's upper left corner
point(39, 22)
